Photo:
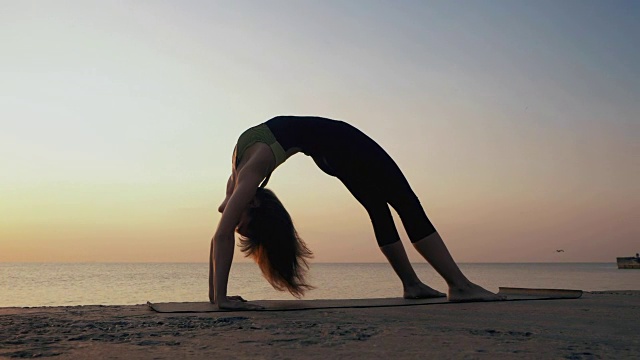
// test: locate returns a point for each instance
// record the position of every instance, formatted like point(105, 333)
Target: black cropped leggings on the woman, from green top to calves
point(367, 171)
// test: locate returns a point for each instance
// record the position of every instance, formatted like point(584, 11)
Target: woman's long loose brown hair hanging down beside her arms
point(273, 242)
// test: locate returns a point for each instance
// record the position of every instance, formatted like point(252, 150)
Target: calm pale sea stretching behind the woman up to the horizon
point(114, 283)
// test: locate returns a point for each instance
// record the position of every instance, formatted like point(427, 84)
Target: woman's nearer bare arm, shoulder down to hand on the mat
point(223, 242)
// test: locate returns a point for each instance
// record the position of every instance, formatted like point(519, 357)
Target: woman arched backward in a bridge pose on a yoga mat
point(267, 233)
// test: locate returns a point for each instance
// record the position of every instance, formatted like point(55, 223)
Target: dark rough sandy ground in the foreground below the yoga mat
point(599, 325)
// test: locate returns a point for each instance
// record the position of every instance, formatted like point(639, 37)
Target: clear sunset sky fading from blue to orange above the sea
point(516, 123)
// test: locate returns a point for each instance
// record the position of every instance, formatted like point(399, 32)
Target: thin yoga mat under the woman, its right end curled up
point(512, 294)
